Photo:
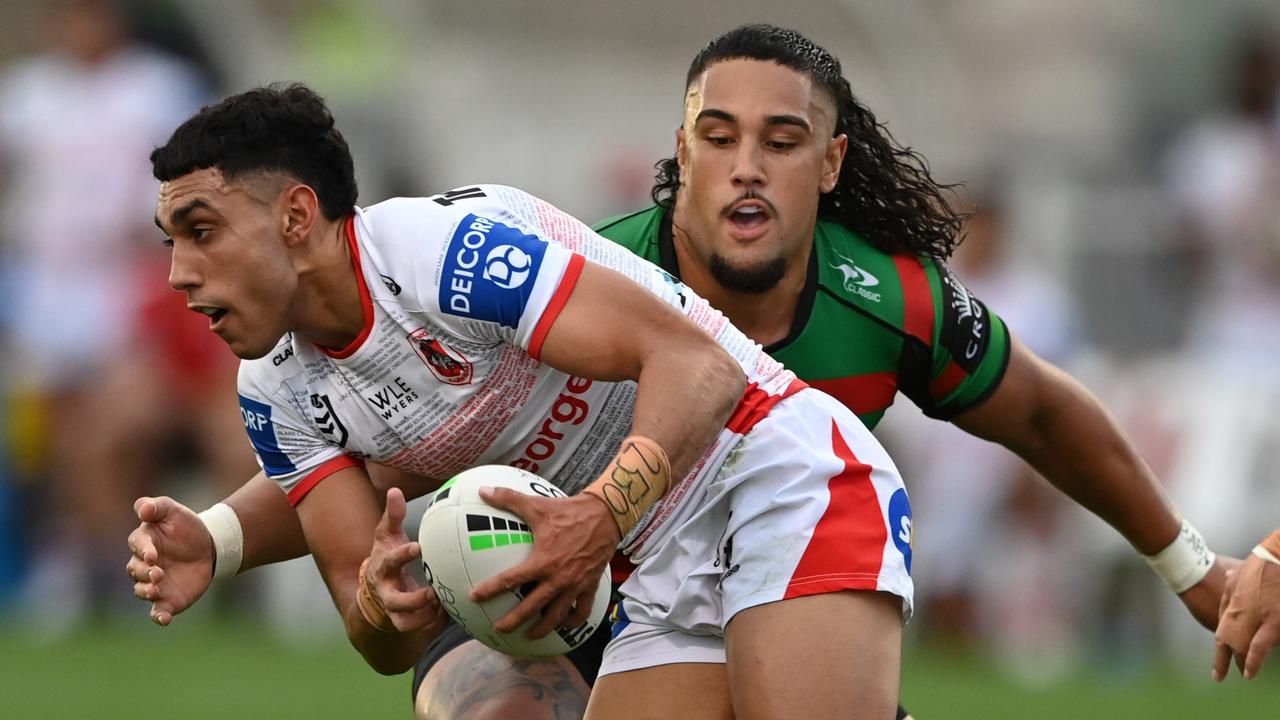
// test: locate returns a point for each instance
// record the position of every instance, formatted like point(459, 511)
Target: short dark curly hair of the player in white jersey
point(277, 129)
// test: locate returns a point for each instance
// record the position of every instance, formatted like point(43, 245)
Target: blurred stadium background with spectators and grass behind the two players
point(1126, 156)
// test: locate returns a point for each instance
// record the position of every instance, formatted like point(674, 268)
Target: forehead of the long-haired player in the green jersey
point(749, 89)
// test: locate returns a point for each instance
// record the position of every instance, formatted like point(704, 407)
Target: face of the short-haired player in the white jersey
point(230, 257)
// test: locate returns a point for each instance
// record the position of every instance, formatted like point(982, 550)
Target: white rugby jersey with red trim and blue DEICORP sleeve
point(459, 293)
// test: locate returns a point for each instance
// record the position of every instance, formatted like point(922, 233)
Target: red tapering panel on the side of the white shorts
point(848, 545)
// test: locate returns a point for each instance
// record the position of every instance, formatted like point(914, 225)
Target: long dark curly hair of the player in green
point(885, 192)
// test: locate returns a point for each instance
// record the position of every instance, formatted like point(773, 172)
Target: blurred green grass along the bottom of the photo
point(223, 669)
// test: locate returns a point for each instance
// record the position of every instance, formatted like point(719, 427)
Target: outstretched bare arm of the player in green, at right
point(1063, 431)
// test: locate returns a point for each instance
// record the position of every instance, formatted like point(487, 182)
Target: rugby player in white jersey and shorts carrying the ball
point(484, 326)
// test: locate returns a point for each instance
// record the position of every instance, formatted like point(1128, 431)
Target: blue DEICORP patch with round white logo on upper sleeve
point(490, 271)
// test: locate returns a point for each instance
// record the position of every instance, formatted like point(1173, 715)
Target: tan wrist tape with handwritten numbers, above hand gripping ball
point(634, 482)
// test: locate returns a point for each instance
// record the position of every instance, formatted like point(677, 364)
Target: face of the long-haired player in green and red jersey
point(756, 153)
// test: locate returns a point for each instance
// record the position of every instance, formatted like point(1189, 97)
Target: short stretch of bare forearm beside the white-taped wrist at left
point(269, 523)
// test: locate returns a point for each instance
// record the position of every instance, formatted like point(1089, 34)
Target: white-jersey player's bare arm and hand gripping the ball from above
point(688, 385)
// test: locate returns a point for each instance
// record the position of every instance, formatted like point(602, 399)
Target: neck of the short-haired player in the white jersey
point(330, 311)
